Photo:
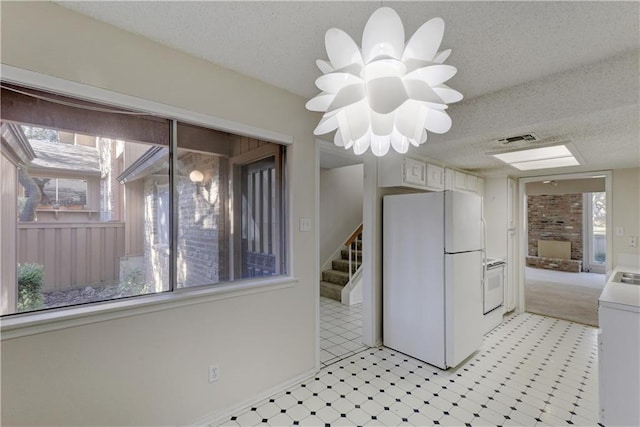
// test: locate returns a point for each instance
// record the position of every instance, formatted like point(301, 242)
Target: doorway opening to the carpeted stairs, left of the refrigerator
point(340, 213)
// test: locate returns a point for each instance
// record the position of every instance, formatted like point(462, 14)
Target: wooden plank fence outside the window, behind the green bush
point(73, 254)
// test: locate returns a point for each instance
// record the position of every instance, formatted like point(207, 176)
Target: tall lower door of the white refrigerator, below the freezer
point(463, 305)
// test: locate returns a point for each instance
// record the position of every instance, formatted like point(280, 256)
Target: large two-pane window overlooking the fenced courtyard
point(104, 207)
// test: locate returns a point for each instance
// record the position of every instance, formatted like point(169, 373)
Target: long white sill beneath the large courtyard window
point(21, 325)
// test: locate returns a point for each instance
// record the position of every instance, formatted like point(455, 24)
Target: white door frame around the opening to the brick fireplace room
point(523, 223)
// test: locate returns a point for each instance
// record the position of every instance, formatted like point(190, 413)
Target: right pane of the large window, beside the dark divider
point(212, 217)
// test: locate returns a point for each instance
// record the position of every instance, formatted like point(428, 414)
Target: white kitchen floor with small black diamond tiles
point(531, 370)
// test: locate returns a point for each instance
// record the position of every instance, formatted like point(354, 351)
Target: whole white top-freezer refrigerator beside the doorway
point(432, 275)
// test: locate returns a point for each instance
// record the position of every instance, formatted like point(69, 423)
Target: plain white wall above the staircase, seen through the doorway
point(340, 206)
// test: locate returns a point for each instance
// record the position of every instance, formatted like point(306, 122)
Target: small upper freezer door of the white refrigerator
point(463, 222)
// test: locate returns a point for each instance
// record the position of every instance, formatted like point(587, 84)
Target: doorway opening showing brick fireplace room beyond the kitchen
point(565, 246)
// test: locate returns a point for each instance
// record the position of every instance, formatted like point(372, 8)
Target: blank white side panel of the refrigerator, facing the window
point(413, 276)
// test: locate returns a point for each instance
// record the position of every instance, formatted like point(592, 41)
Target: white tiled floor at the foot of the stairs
point(340, 331)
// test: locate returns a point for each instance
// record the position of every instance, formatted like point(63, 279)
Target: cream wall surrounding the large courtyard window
point(151, 369)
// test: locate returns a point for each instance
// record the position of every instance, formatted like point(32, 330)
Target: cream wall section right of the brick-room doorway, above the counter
point(626, 214)
